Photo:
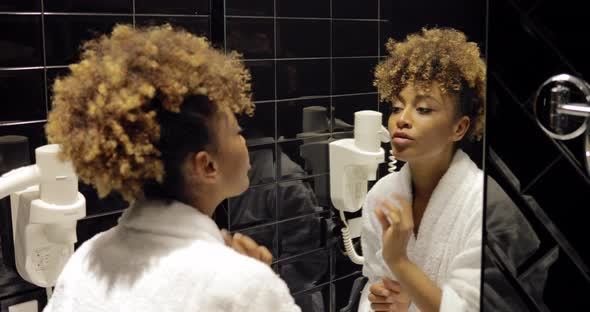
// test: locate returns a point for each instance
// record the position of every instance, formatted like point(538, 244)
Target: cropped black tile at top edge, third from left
point(196, 7)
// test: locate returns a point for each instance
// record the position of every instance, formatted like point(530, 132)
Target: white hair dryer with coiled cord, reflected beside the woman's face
point(354, 162)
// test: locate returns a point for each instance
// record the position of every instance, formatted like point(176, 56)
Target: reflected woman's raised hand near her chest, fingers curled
point(397, 234)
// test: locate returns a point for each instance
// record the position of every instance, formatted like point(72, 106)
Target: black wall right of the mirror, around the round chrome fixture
point(537, 255)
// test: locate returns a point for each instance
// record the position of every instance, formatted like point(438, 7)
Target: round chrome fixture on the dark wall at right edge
point(562, 109)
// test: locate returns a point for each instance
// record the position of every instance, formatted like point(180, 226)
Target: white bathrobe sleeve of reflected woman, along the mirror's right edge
point(461, 290)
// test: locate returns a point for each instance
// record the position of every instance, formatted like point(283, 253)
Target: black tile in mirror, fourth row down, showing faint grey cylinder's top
point(303, 118)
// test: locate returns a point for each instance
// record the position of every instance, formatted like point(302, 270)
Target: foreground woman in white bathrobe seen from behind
point(150, 113)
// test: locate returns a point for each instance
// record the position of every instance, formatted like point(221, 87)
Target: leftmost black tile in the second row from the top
point(21, 41)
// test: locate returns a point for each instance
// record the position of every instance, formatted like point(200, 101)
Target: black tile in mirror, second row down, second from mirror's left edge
point(303, 38)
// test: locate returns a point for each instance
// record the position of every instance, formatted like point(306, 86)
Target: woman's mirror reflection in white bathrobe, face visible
point(422, 226)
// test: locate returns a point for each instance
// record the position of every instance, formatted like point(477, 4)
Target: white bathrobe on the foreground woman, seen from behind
point(166, 257)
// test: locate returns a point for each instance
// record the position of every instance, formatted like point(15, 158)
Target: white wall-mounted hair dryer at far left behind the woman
point(45, 205)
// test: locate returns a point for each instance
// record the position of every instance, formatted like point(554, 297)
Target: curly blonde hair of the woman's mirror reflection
point(439, 54)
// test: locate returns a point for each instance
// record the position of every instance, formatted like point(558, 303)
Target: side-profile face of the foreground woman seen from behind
point(232, 156)
